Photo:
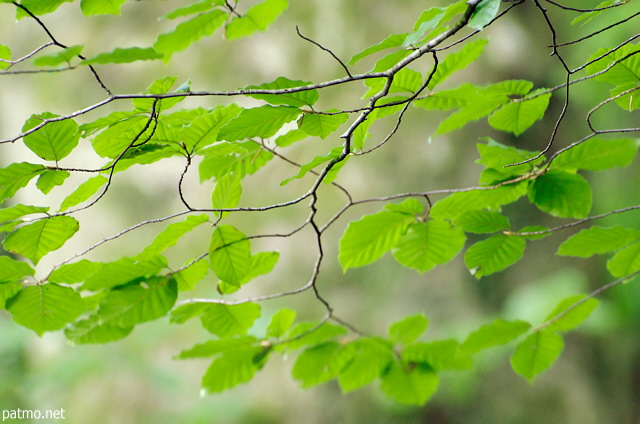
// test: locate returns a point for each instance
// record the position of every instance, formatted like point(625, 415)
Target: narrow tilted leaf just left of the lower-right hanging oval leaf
point(497, 333)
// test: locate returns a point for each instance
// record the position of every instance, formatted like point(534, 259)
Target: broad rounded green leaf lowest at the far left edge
point(45, 307)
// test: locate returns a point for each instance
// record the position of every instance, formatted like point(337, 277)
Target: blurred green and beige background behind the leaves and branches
point(597, 378)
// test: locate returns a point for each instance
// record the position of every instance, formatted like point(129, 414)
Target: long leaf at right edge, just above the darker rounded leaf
point(598, 154)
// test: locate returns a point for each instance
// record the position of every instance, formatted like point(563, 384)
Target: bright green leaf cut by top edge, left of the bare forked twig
point(257, 18)
